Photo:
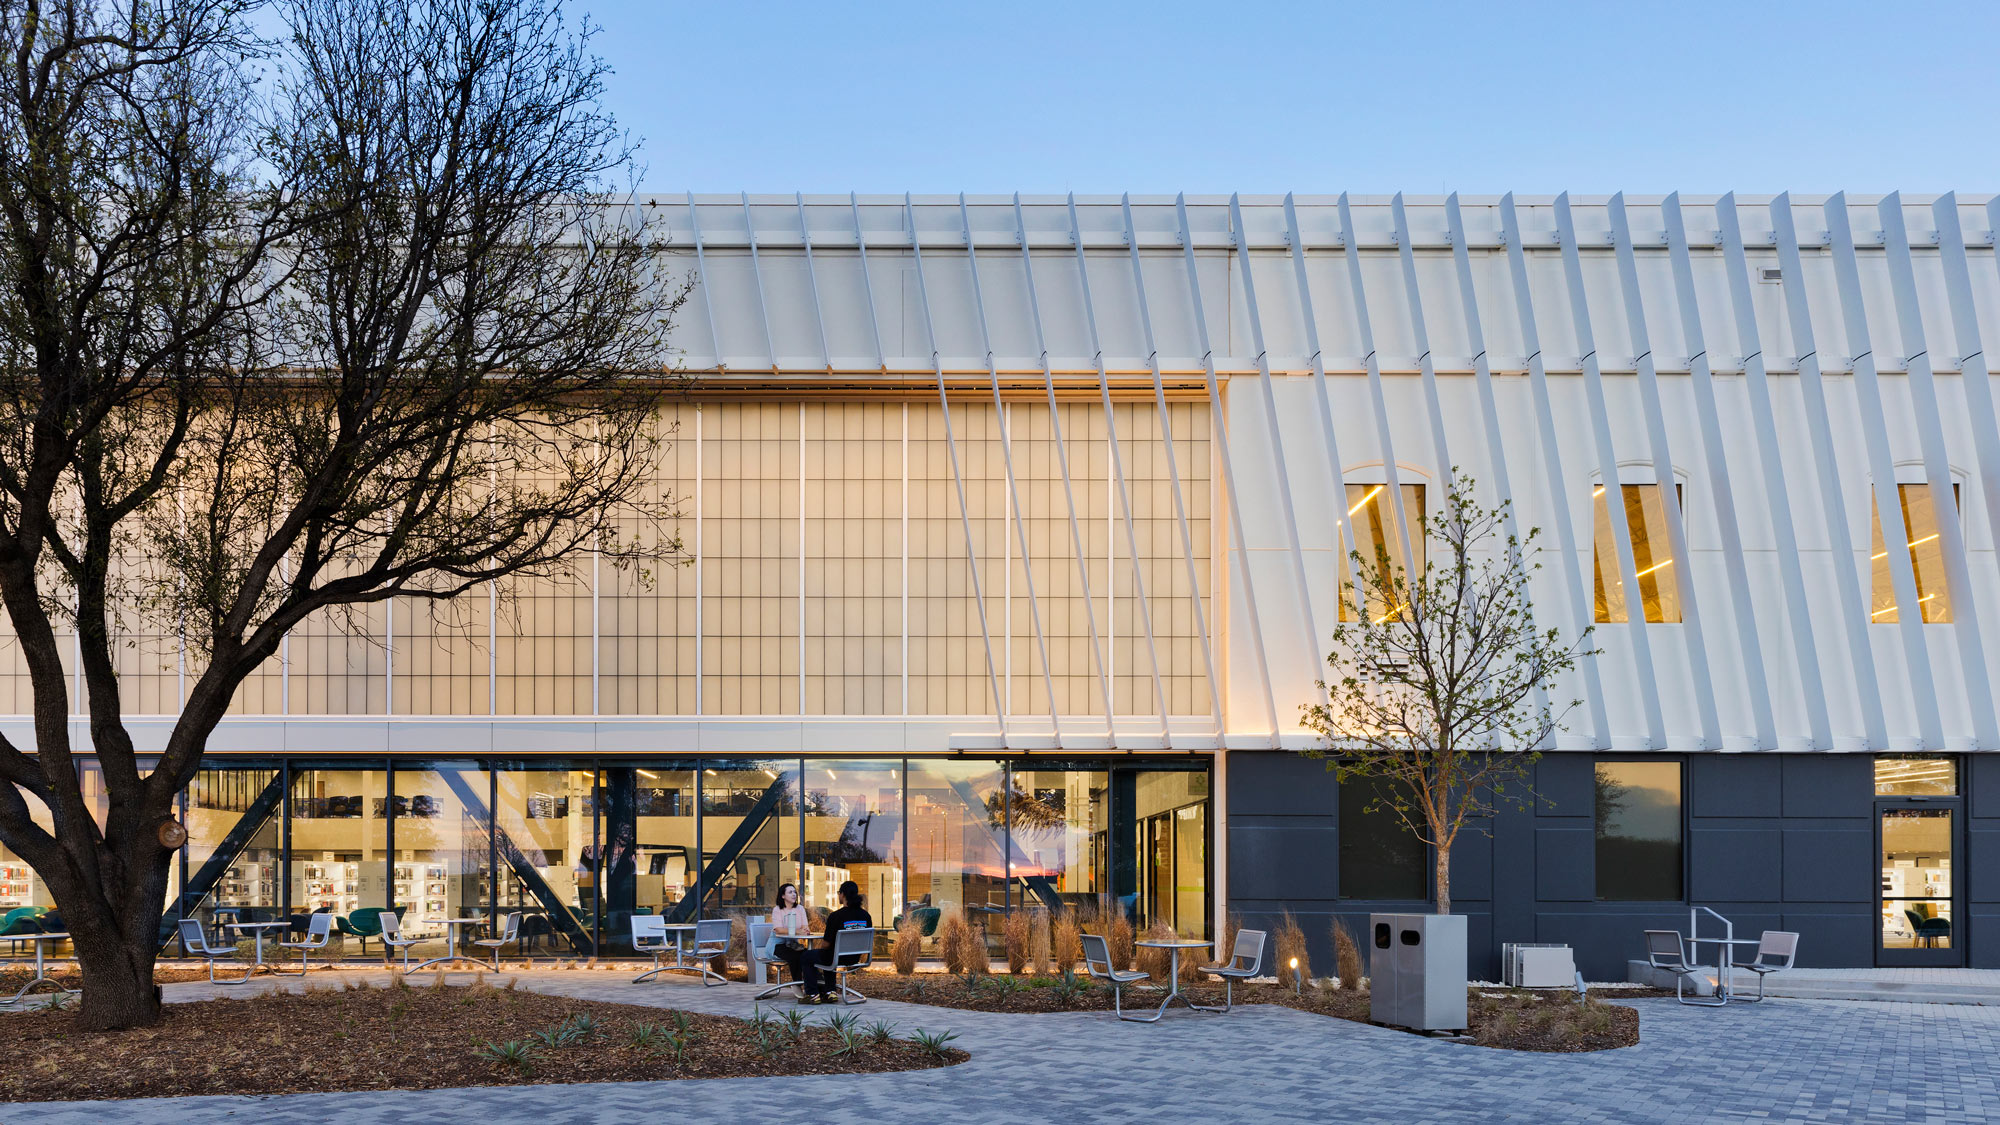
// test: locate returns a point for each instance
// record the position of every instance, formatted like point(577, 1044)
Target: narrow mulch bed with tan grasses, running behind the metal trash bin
point(1511, 1020)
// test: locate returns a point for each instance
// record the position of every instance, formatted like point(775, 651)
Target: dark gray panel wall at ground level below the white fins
point(1773, 842)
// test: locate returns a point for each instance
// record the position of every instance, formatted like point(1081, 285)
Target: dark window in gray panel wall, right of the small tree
point(1639, 832)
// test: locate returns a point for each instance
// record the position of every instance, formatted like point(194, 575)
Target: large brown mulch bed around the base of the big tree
point(421, 1038)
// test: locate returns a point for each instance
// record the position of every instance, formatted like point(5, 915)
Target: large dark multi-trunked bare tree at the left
point(371, 325)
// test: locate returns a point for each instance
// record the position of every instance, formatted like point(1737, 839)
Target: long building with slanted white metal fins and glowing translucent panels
point(1065, 487)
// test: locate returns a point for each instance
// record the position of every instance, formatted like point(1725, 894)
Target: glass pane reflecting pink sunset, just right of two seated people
point(957, 824)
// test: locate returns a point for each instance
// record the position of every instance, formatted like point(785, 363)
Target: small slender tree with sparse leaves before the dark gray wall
point(1441, 684)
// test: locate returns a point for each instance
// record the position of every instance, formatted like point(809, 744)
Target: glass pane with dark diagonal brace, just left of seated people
point(749, 834)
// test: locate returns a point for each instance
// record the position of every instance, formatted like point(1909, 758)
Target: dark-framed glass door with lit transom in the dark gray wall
point(1919, 824)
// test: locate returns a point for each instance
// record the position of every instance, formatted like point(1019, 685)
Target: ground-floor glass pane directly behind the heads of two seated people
point(853, 832)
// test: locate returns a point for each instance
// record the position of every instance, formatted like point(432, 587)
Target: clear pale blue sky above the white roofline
point(1237, 95)
